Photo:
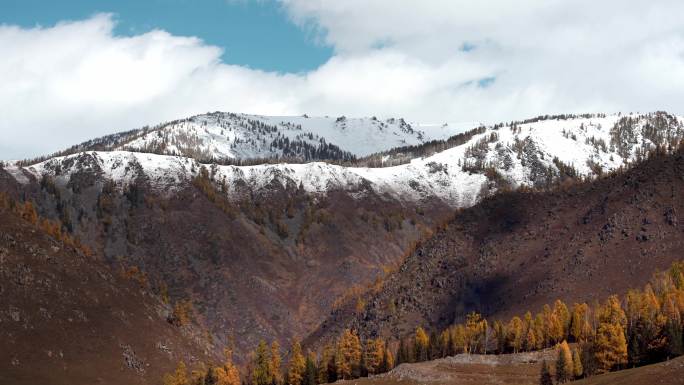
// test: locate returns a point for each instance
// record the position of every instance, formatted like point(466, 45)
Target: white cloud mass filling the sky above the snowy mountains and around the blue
point(77, 80)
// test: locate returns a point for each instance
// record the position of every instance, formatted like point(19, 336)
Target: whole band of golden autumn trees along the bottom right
point(642, 327)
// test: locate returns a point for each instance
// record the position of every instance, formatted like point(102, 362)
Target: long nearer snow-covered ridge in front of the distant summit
point(532, 153)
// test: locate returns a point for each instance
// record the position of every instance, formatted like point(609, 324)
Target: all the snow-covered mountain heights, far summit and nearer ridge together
point(458, 169)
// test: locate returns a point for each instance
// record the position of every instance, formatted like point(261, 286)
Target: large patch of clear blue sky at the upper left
point(256, 34)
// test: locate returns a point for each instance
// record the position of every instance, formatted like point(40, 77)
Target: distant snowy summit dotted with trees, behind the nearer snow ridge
point(226, 136)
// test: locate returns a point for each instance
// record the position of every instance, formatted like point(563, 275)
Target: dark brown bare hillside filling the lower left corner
point(69, 319)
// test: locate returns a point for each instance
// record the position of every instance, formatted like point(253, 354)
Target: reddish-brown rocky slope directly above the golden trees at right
point(518, 251)
